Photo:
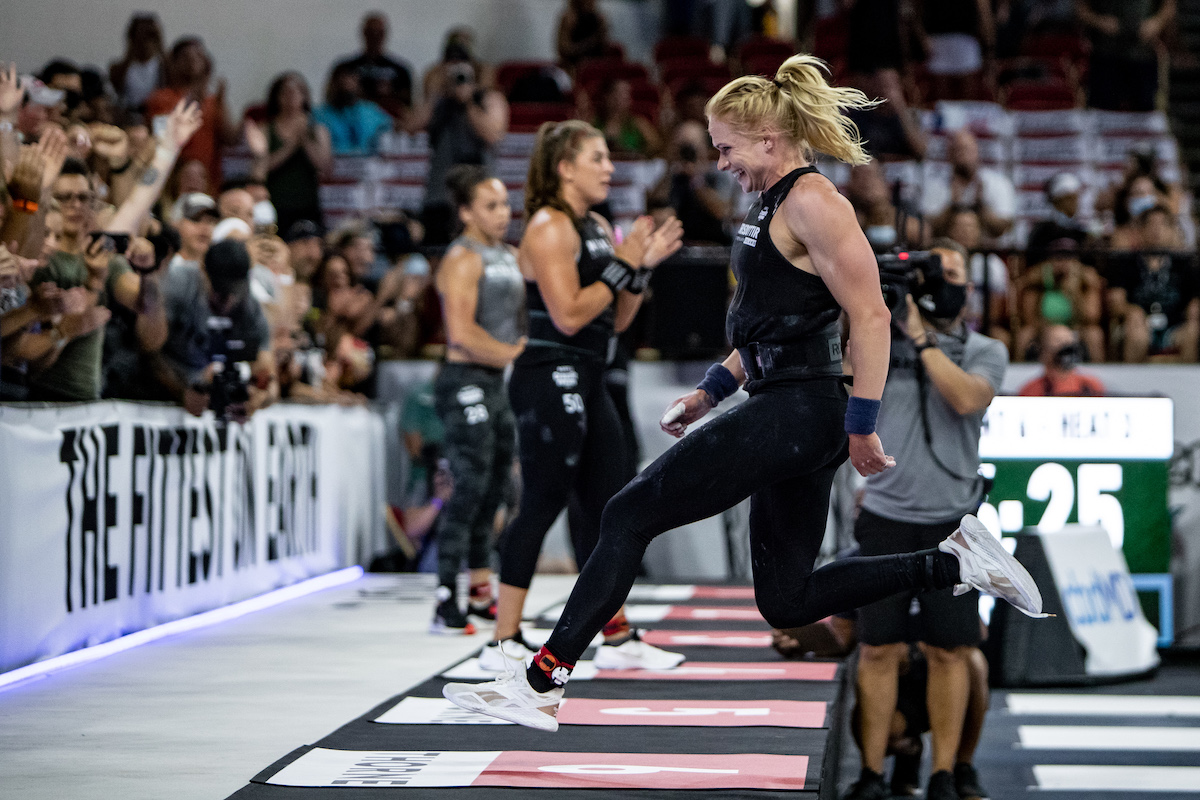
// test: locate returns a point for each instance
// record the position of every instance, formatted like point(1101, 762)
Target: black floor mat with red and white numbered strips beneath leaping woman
point(735, 721)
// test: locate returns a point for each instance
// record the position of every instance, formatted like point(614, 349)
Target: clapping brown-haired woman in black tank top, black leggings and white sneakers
point(581, 291)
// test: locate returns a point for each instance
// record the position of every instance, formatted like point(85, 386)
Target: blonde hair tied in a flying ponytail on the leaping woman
point(801, 105)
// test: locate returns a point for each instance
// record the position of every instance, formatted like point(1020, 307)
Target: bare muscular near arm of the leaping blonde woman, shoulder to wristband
point(825, 222)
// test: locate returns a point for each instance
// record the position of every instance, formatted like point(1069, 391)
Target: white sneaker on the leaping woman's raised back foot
point(986, 566)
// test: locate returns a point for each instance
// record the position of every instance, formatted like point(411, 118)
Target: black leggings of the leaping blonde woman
point(781, 449)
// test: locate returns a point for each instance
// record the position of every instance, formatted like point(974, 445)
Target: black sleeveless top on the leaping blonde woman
point(776, 303)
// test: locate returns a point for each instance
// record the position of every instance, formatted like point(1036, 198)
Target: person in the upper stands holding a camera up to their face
point(465, 122)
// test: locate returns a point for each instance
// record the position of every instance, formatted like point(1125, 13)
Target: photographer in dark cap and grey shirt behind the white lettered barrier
point(219, 351)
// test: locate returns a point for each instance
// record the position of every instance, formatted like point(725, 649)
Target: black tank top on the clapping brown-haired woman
point(596, 339)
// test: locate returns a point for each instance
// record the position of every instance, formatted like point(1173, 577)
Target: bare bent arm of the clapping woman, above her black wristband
point(549, 251)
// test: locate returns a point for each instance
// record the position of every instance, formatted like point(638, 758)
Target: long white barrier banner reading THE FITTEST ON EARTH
point(121, 516)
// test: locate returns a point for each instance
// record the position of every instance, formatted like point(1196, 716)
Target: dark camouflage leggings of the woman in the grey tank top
point(479, 444)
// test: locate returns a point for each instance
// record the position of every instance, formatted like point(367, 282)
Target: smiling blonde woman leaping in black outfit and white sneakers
point(801, 261)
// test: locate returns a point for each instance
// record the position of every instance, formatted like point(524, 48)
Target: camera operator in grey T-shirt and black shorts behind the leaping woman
point(941, 382)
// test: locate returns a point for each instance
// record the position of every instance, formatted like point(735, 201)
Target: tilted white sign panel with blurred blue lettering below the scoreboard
point(1101, 603)
